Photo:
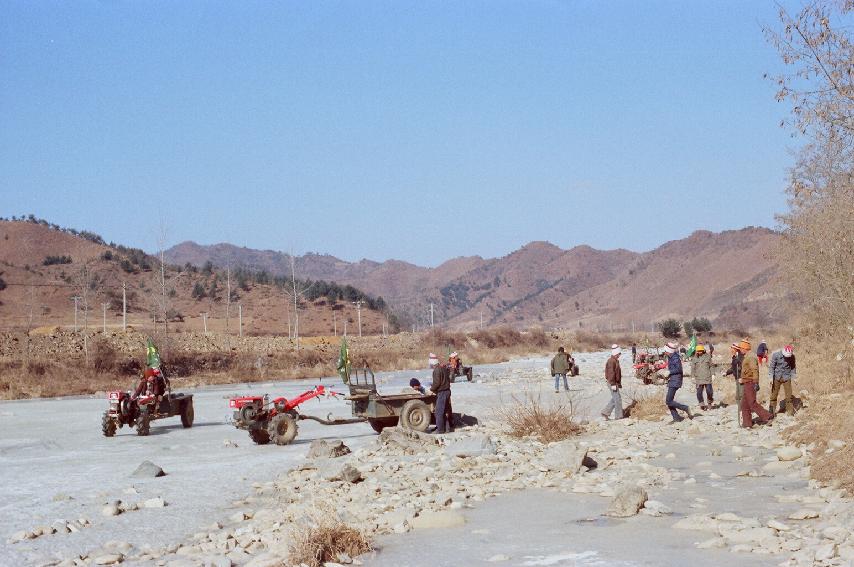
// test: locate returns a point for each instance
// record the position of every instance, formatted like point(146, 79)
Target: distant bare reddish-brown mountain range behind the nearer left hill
point(729, 277)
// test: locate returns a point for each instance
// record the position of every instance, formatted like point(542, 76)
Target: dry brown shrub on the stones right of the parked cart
point(530, 416)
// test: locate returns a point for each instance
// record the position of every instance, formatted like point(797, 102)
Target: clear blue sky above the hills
point(418, 131)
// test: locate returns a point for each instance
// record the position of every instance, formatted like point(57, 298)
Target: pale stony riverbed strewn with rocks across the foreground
point(628, 492)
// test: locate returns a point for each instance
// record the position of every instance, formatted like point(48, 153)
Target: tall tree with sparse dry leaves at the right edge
point(816, 47)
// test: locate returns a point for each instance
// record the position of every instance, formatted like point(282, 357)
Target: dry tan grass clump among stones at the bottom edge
point(324, 539)
